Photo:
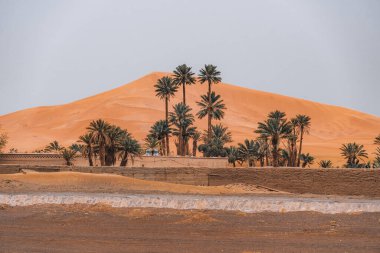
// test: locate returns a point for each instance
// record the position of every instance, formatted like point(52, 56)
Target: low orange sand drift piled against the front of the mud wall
point(108, 183)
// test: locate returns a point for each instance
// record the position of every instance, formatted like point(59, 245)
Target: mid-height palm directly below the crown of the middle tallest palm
point(182, 119)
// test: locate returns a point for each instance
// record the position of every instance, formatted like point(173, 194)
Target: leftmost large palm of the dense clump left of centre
point(99, 130)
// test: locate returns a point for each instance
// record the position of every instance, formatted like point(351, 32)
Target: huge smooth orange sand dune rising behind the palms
point(135, 107)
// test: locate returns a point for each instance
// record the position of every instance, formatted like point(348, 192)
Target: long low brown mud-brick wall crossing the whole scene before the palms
point(364, 182)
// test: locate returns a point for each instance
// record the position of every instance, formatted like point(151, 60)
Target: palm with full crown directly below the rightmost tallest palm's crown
point(212, 106)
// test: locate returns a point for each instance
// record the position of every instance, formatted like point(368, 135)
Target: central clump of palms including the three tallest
point(180, 121)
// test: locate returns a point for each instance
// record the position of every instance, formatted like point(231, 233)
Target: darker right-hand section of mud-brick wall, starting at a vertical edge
point(297, 180)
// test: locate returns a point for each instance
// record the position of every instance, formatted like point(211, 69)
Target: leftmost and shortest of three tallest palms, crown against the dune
point(165, 89)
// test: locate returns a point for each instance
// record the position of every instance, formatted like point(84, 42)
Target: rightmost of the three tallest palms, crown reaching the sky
point(210, 75)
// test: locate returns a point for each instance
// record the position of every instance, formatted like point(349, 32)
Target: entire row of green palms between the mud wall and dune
point(279, 141)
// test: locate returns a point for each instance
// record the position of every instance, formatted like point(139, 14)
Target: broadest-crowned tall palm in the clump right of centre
point(274, 129)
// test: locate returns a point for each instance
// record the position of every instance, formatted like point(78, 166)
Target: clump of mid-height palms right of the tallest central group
point(266, 149)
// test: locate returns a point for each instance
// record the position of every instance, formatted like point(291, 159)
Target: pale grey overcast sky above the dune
point(55, 52)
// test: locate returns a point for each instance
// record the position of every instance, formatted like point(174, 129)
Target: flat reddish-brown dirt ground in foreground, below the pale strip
point(79, 228)
